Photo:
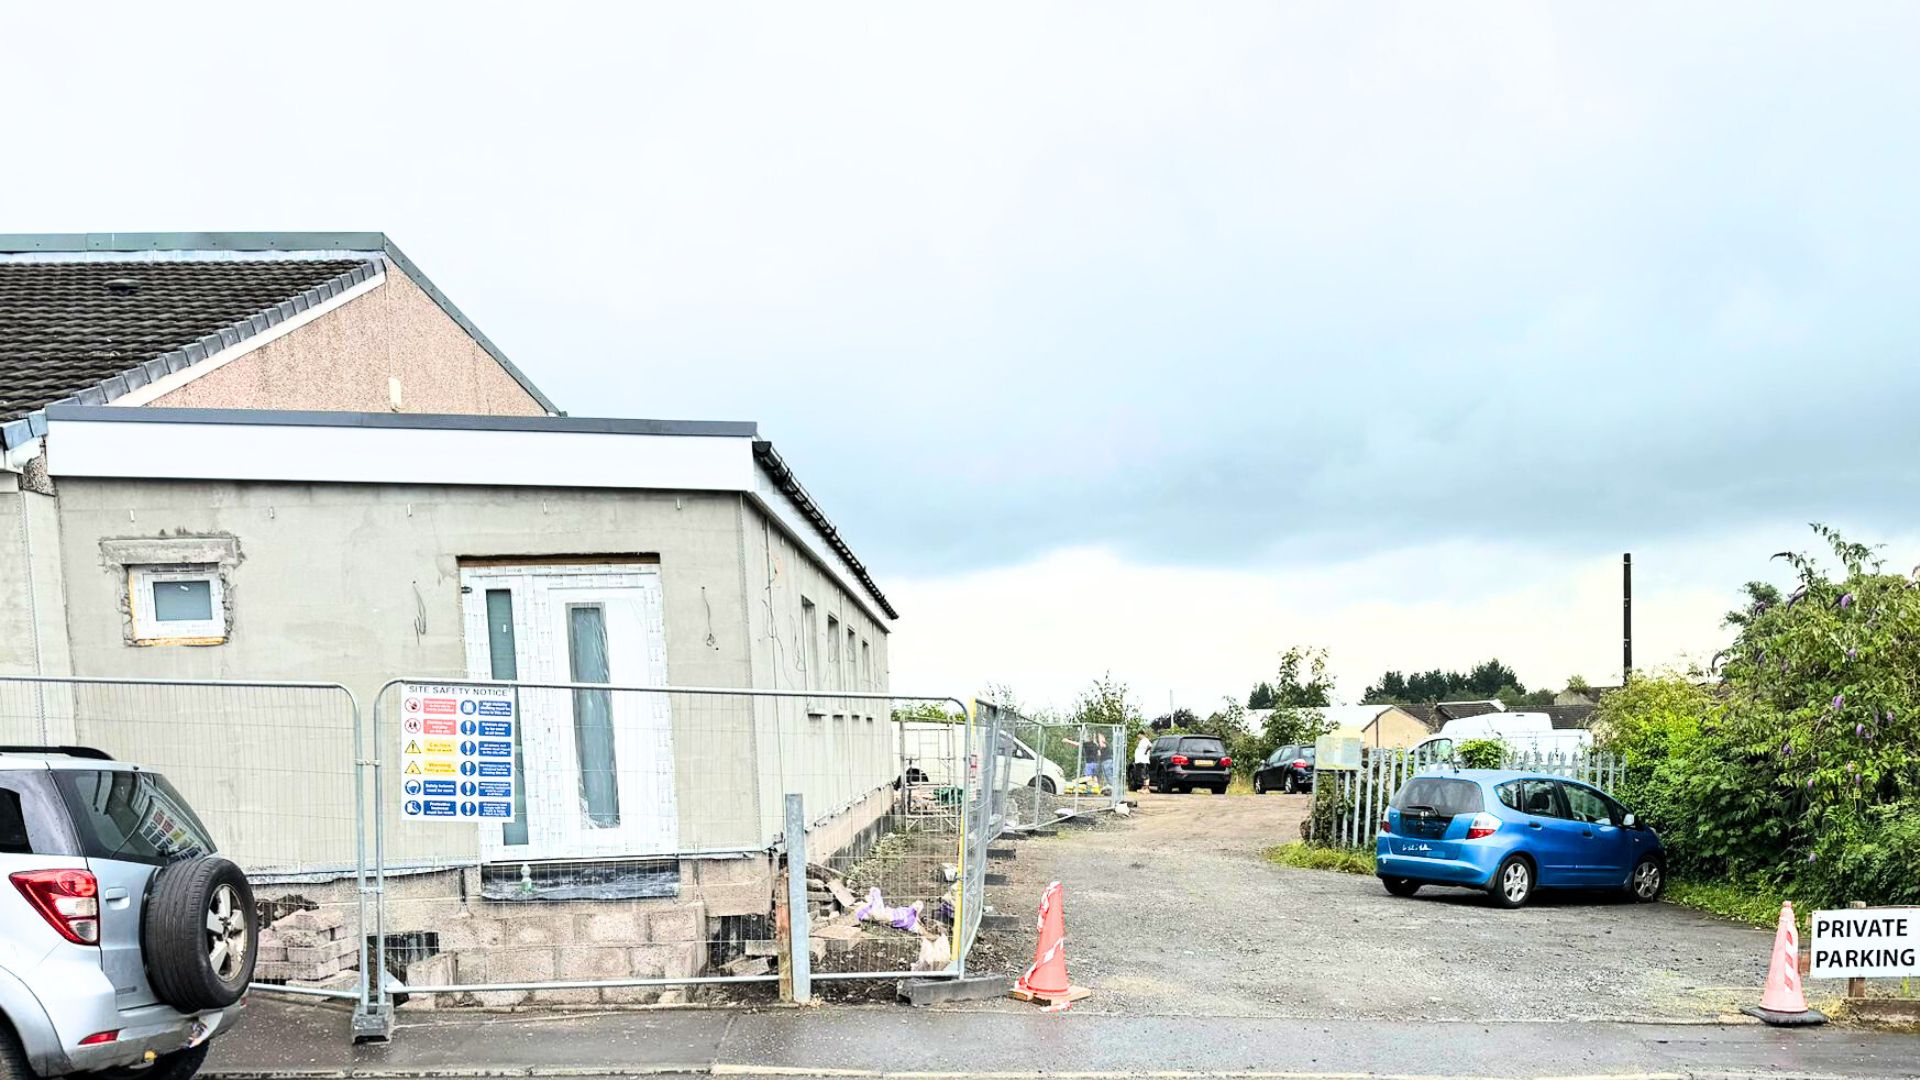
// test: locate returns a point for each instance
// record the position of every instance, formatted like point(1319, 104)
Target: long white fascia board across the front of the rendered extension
point(400, 456)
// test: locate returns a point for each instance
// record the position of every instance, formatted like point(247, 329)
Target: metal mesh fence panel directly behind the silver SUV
point(268, 770)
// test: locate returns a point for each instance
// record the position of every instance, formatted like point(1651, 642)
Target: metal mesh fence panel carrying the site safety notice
point(575, 843)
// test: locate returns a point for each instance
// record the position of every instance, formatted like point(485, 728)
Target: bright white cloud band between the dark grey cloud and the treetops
point(1051, 626)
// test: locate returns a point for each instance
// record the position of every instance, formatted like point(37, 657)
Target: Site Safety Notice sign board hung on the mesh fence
point(456, 752)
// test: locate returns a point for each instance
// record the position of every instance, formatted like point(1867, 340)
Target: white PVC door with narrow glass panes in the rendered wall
point(598, 766)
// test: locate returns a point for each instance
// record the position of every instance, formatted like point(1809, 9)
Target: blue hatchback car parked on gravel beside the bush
point(1512, 833)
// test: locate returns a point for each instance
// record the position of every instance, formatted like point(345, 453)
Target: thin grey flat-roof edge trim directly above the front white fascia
point(425, 422)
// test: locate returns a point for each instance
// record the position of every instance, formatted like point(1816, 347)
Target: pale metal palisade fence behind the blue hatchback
point(1356, 798)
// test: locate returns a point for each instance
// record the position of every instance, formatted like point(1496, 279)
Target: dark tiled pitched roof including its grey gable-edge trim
point(87, 318)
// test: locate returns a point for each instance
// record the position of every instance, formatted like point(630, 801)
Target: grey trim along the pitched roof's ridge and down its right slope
point(12, 243)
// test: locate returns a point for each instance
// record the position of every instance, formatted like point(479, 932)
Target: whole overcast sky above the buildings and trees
point(1113, 335)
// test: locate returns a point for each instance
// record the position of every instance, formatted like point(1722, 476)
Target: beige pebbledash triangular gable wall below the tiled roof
point(343, 362)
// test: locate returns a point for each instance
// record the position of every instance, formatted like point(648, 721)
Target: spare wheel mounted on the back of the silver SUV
point(201, 935)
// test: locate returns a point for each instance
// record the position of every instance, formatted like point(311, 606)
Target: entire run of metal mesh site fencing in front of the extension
point(494, 843)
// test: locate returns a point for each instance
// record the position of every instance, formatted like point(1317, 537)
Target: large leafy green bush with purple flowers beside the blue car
point(1800, 766)
